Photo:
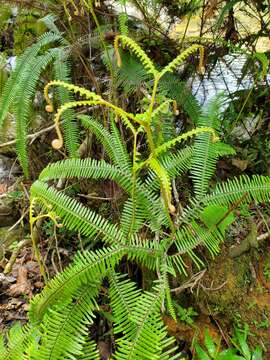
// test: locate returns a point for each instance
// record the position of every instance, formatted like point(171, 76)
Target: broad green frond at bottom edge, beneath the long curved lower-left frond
point(65, 327)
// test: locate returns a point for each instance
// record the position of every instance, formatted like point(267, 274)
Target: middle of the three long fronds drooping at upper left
point(23, 103)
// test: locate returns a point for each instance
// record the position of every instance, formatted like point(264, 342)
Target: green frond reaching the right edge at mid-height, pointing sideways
point(243, 189)
